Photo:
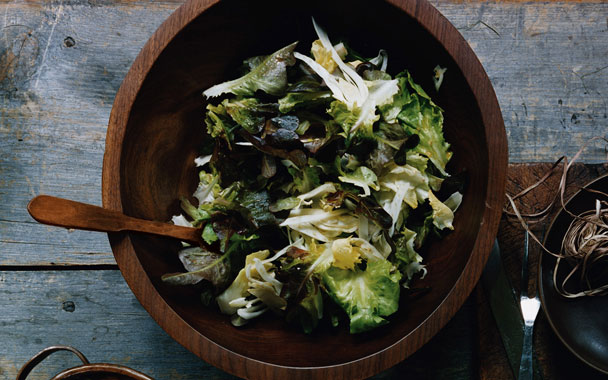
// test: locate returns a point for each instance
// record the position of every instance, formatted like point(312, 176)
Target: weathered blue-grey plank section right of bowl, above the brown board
point(548, 65)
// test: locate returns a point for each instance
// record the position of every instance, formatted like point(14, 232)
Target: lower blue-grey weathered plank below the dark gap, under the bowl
point(108, 325)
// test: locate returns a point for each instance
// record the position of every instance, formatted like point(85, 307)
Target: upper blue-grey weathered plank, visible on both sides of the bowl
point(62, 62)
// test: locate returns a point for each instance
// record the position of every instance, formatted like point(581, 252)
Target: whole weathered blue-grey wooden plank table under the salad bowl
point(61, 64)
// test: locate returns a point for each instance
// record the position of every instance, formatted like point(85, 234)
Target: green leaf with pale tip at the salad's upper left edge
point(269, 76)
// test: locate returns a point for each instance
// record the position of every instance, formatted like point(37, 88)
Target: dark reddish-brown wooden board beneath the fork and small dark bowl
point(555, 360)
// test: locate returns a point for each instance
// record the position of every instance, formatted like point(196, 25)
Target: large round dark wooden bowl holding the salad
point(155, 128)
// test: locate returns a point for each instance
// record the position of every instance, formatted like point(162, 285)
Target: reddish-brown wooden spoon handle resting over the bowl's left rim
point(70, 214)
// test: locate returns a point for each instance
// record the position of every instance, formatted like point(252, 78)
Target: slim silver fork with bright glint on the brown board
point(529, 310)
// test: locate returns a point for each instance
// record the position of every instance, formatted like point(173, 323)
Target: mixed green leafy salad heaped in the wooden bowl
point(323, 178)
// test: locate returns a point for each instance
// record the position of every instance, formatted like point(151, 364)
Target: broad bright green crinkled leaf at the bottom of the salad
point(367, 296)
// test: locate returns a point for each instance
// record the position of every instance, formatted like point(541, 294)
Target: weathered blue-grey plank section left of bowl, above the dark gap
point(60, 67)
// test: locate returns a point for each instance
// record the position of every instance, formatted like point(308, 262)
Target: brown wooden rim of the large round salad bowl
point(496, 141)
